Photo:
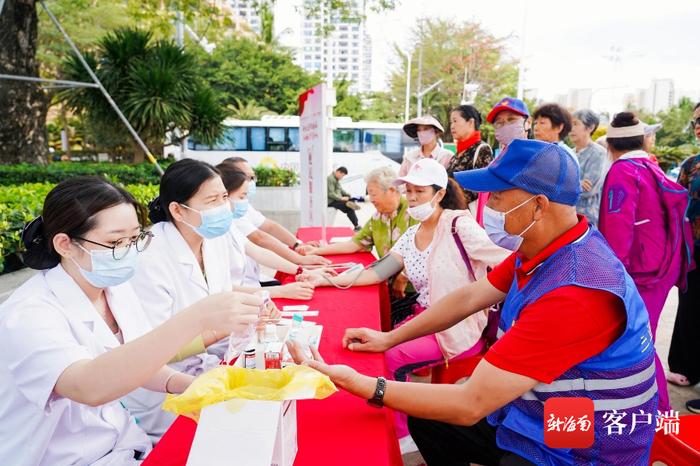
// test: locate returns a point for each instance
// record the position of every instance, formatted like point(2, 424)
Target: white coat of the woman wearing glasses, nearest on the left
point(45, 326)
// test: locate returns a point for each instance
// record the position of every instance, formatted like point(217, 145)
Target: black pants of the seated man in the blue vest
point(444, 444)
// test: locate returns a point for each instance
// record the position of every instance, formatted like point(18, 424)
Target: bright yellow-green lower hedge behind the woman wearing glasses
point(23, 202)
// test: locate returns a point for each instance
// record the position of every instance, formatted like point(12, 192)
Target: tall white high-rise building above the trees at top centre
point(346, 51)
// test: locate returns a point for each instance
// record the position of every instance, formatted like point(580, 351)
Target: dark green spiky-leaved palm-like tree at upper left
point(156, 84)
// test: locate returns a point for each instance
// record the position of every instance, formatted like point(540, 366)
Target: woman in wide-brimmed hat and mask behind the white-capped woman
point(426, 130)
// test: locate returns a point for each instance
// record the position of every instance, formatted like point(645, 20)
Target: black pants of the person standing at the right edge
point(684, 354)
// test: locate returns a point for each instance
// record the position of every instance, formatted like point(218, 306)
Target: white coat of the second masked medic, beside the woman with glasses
point(167, 281)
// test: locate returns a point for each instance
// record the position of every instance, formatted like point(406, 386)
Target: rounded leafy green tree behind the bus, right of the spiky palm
point(253, 72)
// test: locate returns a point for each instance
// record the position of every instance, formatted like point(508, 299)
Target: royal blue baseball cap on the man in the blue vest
point(537, 167)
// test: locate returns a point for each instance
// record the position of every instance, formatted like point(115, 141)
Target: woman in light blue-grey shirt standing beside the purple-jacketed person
point(592, 159)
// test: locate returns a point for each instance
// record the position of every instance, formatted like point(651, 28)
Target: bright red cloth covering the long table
point(342, 429)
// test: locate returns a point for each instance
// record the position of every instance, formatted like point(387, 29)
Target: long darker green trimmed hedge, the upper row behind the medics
point(120, 173)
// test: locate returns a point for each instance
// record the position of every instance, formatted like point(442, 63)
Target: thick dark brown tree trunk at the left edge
point(23, 136)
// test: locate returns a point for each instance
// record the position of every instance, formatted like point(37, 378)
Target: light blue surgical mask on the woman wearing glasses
point(106, 270)
